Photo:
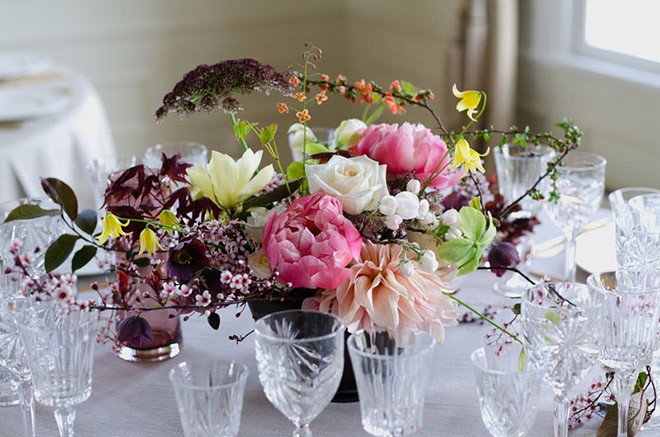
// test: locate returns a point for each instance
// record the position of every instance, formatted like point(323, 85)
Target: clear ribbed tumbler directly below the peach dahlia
point(392, 370)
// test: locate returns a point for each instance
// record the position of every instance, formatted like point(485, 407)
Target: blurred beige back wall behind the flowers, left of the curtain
point(134, 52)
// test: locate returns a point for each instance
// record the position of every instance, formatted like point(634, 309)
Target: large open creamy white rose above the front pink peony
point(358, 183)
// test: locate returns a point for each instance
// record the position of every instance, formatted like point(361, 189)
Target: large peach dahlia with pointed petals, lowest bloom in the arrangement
point(377, 294)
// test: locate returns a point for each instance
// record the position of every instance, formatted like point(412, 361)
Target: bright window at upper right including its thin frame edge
point(623, 32)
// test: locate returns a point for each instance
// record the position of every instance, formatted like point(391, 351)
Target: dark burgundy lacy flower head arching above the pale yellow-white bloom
point(208, 87)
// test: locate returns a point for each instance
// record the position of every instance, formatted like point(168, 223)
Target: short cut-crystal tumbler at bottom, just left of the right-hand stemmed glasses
point(507, 393)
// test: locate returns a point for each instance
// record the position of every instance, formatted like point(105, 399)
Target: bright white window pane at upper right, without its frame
point(630, 27)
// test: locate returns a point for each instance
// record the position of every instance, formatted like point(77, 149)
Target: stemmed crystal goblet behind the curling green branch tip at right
point(581, 186)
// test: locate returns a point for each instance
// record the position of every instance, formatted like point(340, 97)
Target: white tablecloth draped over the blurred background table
point(58, 145)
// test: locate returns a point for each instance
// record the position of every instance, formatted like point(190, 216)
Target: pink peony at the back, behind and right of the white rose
point(408, 148)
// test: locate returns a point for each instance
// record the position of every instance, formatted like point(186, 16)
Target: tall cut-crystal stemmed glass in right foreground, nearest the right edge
point(628, 328)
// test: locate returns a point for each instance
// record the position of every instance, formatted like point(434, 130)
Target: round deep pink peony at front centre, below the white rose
point(311, 243)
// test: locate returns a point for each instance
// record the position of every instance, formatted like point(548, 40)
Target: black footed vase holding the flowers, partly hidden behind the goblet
point(347, 391)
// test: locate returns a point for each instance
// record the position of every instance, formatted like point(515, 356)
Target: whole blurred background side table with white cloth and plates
point(52, 122)
